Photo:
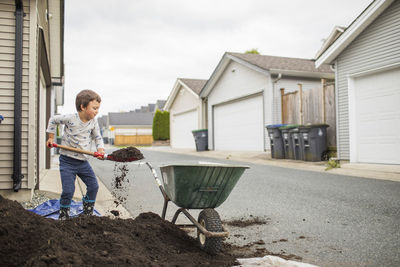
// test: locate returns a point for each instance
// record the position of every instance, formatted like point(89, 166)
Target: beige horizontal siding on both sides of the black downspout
point(7, 62)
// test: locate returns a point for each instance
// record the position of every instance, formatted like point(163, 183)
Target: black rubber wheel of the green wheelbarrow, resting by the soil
point(210, 220)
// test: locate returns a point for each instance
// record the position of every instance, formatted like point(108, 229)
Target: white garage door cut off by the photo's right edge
point(378, 117)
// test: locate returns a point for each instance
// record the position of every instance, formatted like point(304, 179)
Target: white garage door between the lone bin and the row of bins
point(238, 126)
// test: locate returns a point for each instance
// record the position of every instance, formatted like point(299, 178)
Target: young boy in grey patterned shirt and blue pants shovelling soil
point(79, 130)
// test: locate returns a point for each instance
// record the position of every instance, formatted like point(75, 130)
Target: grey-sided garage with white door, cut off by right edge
point(366, 58)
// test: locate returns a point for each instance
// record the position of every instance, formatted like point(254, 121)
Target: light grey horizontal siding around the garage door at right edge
point(377, 46)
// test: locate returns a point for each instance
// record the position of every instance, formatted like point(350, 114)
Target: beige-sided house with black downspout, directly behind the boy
point(31, 87)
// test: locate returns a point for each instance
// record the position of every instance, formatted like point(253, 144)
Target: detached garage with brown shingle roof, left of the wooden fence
point(243, 95)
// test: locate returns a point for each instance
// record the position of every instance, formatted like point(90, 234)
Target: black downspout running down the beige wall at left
point(19, 20)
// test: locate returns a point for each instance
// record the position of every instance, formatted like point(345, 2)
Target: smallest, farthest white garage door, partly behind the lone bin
point(182, 126)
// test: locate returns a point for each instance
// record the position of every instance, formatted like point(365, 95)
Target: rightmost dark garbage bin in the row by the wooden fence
point(313, 141)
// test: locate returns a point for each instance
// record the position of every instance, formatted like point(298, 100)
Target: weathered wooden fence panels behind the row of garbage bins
point(312, 106)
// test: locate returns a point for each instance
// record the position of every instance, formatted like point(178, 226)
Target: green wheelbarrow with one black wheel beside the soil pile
point(199, 186)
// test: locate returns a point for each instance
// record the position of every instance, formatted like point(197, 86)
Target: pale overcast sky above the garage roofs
point(132, 51)
